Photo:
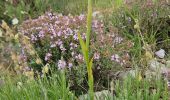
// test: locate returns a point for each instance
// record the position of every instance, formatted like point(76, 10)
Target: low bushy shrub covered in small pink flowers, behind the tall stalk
point(55, 40)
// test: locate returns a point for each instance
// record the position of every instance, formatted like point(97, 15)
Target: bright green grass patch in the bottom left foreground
point(54, 87)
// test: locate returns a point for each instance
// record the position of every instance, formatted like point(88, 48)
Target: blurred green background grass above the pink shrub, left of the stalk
point(24, 9)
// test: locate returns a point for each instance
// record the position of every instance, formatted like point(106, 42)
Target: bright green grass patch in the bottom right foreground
point(141, 90)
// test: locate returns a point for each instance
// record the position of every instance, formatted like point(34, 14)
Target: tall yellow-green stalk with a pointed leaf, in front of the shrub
point(85, 50)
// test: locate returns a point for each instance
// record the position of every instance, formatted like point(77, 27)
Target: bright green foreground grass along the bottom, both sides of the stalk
point(56, 87)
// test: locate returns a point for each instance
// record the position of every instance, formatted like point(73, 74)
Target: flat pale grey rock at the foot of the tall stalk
point(102, 95)
